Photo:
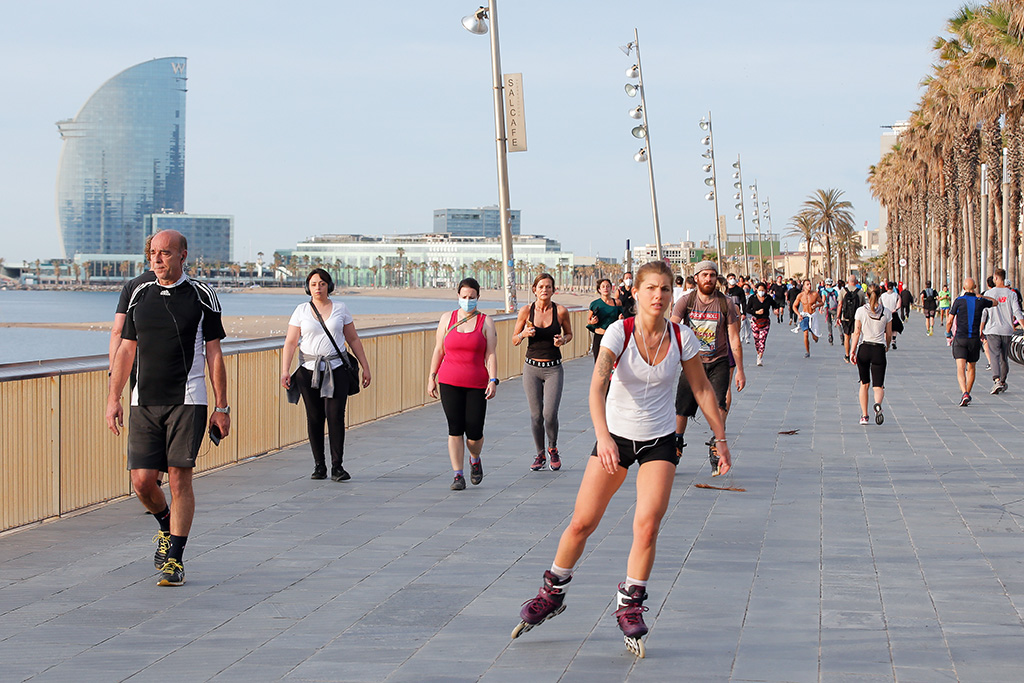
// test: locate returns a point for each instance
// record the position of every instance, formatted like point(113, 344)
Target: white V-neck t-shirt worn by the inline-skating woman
point(642, 404)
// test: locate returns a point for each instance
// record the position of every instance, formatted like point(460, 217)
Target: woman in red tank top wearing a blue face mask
point(464, 371)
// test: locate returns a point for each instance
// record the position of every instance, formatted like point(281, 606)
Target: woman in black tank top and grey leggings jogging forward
point(547, 327)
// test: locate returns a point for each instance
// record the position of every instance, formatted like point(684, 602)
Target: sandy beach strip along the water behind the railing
point(258, 327)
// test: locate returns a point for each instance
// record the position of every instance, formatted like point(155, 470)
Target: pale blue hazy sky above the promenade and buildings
point(312, 118)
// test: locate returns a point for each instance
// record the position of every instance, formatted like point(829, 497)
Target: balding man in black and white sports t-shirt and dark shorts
point(173, 327)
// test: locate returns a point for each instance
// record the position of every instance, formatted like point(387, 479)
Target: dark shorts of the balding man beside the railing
point(162, 437)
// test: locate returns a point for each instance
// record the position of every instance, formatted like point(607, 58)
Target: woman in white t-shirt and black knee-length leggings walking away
point(873, 328)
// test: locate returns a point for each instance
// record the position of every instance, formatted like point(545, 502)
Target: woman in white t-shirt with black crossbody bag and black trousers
point(322, 380)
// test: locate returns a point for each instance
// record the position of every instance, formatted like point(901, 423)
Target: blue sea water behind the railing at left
point(27, 345)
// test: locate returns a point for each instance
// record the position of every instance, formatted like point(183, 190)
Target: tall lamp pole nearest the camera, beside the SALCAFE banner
point(476, 24)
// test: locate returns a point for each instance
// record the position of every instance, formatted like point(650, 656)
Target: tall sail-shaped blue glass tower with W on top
point(123, 159)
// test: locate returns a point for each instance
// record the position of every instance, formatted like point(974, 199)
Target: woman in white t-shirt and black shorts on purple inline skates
point(634, 415)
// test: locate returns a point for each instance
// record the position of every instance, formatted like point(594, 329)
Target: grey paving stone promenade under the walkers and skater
point(856, 554)
